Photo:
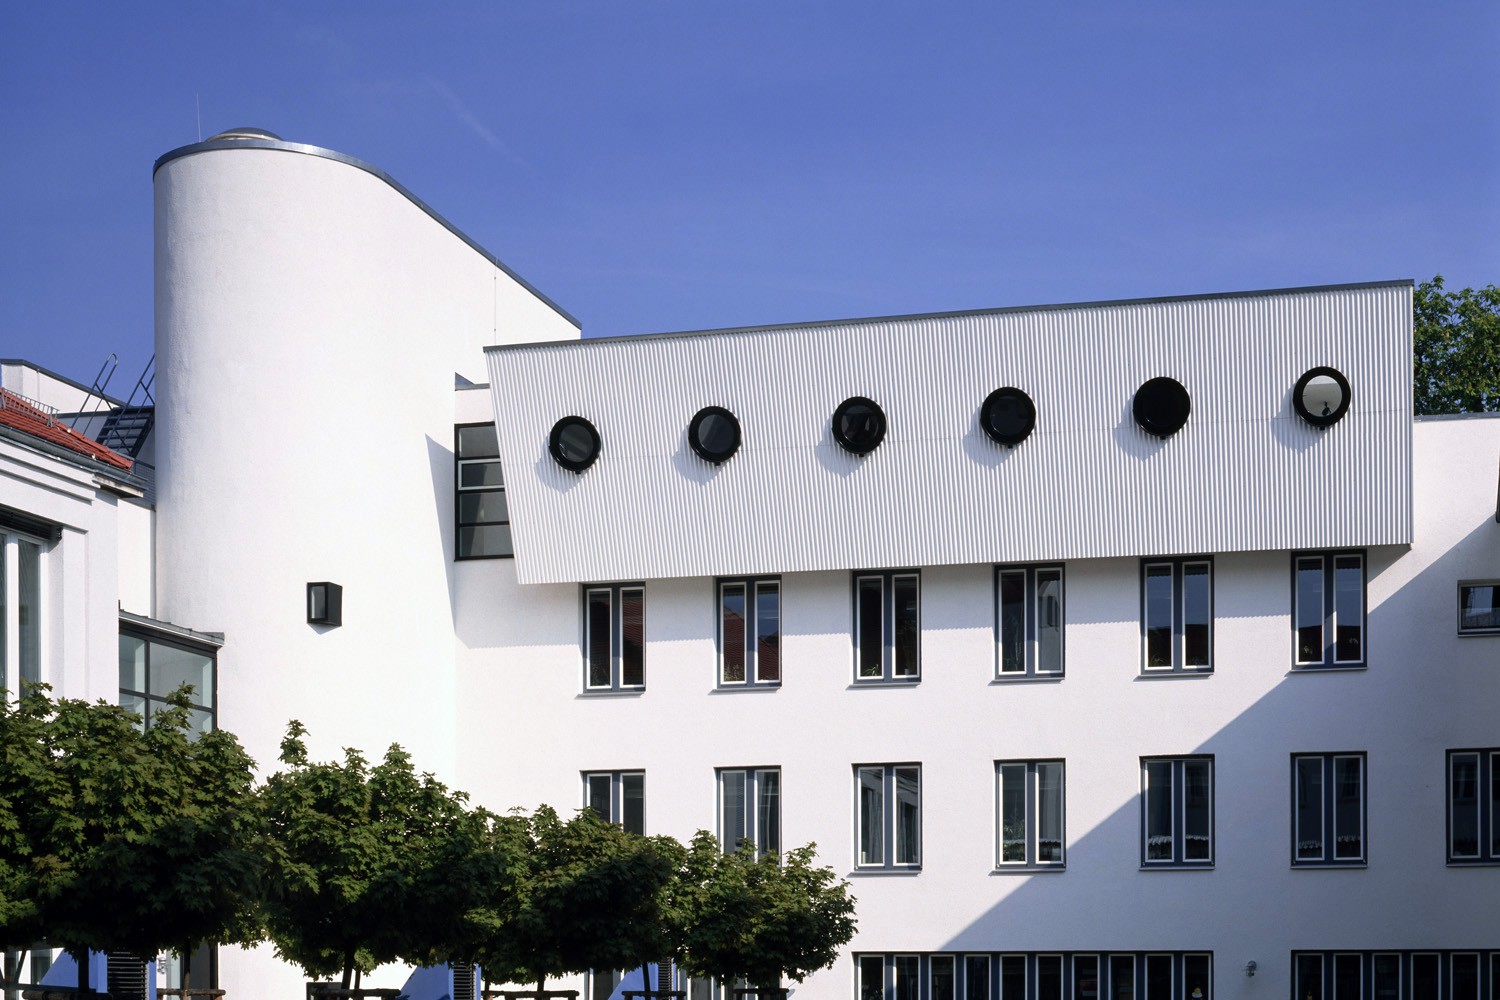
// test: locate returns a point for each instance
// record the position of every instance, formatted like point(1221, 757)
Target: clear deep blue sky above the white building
point(671, 166)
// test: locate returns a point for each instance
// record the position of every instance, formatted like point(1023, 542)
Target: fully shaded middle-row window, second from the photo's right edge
point(1328, 809)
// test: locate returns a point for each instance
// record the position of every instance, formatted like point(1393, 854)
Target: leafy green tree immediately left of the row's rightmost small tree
point(583, 894)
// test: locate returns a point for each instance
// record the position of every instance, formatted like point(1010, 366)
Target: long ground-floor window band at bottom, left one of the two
point(1036, 977)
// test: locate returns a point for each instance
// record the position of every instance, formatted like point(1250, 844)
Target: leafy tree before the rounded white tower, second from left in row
point(367, 866)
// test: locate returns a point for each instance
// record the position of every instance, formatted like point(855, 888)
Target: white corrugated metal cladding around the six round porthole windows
point(1244, 475)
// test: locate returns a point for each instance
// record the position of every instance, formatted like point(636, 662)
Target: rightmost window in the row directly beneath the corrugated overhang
point(1328, 609)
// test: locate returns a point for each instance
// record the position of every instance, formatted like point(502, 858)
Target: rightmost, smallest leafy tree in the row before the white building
point(763, 918)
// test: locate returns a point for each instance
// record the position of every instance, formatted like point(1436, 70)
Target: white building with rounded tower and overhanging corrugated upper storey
point(1171, 671)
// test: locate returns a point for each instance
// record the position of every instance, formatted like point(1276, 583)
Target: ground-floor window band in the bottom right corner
point(1463, 975)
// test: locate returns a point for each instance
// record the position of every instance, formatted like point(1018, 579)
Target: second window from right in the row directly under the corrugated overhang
point(1177, 605)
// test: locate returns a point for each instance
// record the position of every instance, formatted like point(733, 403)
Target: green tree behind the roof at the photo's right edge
point(1457, 349)
